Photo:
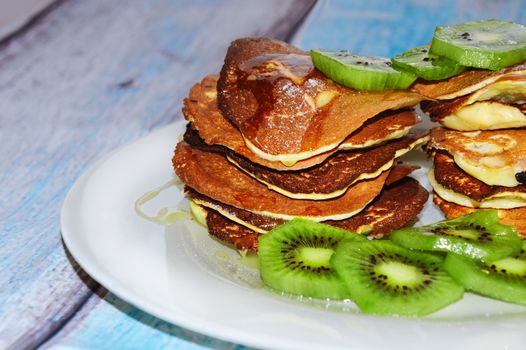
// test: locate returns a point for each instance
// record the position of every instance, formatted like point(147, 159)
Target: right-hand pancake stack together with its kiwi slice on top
point(479, 153)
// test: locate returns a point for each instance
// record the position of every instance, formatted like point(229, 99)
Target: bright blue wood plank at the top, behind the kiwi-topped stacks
point(386, 28)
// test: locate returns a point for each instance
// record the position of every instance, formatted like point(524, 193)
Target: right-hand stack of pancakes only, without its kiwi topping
point(479, 155)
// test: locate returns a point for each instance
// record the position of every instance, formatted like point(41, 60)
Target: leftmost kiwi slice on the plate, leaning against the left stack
point(294, 258)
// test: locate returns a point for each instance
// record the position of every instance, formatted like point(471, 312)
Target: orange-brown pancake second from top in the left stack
point(200, 108)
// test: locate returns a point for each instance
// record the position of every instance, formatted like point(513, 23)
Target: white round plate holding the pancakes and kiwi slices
point(181, 275)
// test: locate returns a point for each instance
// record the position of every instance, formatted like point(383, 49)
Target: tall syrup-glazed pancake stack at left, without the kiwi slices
point(272, 138)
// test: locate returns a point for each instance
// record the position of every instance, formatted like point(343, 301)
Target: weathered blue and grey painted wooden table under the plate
point(89, 76)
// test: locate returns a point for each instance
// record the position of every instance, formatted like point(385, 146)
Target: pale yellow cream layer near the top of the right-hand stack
point(485, 116)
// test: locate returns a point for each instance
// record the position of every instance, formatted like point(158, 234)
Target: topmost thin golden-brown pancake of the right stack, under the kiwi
point(466, 82)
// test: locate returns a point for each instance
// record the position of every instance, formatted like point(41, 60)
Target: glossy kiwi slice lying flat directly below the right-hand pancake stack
point(478, 236)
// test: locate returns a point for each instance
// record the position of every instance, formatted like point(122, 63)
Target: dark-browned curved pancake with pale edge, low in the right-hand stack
point(455, 185)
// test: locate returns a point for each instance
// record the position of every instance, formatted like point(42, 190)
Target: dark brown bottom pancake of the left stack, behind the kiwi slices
point(388, 212)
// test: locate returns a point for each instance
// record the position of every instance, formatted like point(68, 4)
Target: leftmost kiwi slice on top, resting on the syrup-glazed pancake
point(361, 72)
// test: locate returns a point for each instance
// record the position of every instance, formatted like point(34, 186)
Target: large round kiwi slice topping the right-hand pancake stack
point(489, 44)
